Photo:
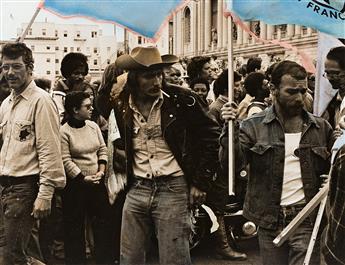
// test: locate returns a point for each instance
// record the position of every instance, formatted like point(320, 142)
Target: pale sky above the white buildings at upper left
point(15, 12)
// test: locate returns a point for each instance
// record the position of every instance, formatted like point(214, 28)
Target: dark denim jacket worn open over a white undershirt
point(263, 145)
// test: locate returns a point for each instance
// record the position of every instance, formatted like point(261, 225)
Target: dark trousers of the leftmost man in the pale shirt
point(17, 201)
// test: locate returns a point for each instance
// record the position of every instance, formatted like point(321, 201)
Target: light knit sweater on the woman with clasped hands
point(82, 148)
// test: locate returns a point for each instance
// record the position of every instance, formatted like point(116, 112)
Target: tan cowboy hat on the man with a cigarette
point(142, 58)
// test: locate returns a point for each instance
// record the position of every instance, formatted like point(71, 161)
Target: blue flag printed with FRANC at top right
point(325, 15)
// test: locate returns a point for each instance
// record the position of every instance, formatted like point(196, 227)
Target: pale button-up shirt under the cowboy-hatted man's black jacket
point(152, 156)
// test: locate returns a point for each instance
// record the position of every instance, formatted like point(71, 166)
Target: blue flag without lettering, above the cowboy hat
point(141, 16)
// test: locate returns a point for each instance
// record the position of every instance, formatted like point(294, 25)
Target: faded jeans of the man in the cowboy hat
point(157, 206)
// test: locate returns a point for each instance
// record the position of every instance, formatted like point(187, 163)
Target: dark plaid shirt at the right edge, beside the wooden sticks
point(334, 243)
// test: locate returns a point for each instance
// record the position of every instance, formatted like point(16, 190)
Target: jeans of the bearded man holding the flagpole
point(293, 251)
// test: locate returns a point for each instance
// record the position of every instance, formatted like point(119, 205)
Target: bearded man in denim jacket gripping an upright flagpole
point(287, 150)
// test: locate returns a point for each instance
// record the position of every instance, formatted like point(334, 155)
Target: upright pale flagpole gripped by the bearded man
point(231, 98)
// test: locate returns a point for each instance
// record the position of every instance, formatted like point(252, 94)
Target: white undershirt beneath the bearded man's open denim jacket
point(292, 191)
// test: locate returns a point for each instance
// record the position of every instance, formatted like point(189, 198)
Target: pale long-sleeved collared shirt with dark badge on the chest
point(29, 128)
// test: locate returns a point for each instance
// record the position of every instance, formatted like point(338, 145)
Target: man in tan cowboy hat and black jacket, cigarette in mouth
point(171, 152)
